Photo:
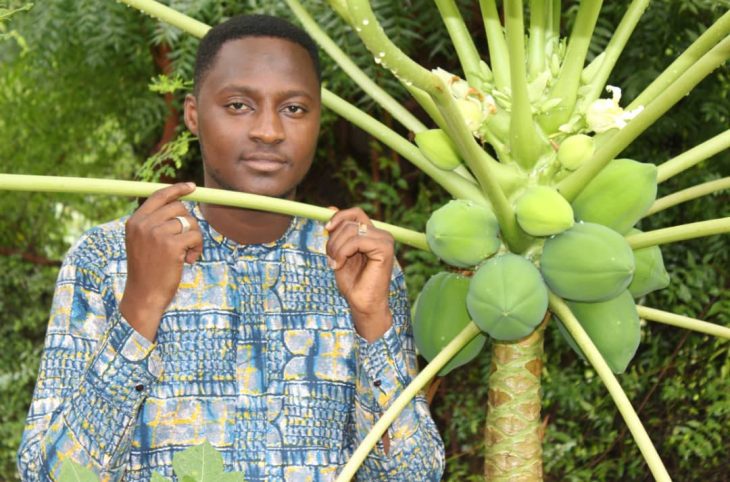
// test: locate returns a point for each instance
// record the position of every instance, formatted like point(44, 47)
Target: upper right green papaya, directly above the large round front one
point(619, 195)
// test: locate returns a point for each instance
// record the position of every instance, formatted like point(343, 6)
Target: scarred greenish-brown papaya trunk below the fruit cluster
point(513, 434)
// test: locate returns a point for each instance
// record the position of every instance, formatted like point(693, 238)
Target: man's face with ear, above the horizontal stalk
point(257, 116)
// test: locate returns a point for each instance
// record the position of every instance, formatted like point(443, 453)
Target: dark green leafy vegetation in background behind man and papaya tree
point(74, 100)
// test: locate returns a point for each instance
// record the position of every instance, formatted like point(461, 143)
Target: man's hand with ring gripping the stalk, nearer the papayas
point(362, 257)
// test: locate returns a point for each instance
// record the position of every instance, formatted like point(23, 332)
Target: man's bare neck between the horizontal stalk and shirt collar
point(246, 226)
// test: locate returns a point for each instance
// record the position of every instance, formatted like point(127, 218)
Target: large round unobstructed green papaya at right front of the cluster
point(588, 262)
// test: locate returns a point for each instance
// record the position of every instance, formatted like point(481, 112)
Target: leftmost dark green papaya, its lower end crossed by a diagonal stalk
point(440, 314)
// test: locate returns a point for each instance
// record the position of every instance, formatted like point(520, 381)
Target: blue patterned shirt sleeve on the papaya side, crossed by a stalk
point(385, 368)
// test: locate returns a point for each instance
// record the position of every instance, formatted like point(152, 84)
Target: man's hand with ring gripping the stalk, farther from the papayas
point(156, 252)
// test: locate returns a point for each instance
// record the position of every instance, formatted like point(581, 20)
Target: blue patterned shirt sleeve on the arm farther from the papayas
point(94, 374)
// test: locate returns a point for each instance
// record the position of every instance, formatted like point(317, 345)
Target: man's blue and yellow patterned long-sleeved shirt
point(256, 353)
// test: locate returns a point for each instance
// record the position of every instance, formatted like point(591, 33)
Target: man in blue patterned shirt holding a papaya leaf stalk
point(277, 339)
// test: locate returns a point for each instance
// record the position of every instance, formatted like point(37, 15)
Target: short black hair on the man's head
point(242, 26)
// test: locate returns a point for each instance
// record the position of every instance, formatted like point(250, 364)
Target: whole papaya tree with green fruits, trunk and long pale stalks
point(542, 227)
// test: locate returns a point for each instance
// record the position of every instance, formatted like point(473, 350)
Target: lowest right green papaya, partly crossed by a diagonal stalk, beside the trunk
point(612, 325)
